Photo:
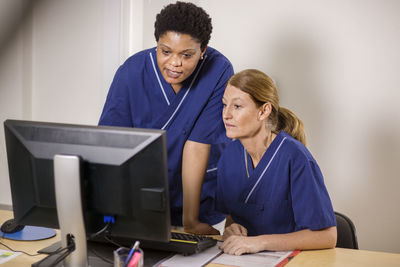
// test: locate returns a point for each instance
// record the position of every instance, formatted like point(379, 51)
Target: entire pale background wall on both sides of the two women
point(336, 64)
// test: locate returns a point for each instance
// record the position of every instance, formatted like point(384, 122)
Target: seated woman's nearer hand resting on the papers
point(238, 245)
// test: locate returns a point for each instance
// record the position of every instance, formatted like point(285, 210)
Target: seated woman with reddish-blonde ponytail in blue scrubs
point(269, 184)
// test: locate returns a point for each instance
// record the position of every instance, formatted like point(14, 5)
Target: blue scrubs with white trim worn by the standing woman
point(140, 97)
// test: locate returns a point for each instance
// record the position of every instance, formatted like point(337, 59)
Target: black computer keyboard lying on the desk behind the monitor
point(181, 243)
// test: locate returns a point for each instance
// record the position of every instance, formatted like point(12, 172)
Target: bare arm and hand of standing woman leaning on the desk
point(194, 165)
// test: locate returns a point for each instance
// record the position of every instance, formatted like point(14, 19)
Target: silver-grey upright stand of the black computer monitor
point(67, 180)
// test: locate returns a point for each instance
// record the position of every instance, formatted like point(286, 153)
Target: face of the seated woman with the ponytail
point(242, 118)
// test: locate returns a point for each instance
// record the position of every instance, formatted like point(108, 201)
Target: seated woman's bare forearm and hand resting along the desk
point(301, 240)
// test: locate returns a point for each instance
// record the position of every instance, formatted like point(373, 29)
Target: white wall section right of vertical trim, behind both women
point(336, 64)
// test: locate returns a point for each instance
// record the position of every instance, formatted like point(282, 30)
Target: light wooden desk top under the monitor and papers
point(328, 257)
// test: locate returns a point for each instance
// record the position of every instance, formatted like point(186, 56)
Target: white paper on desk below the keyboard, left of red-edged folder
point(195, 260)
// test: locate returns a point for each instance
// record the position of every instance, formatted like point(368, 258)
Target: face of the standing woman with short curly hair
point(177, 57)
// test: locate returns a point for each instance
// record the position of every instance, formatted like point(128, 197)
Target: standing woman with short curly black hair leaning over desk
point(177, 86)
